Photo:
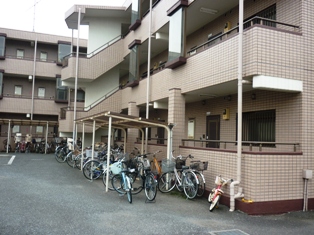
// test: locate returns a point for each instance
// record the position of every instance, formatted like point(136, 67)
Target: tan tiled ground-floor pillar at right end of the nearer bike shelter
point(176, 115)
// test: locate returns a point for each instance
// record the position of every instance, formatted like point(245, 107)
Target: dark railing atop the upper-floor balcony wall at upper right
point(253, 21)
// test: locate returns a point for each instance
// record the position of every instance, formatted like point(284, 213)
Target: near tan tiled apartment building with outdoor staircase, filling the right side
point(193, 82)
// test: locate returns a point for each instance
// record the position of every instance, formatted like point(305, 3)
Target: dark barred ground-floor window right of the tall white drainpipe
point(259, 126)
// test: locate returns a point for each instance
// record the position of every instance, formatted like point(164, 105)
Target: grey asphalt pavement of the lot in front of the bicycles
point(38, 196)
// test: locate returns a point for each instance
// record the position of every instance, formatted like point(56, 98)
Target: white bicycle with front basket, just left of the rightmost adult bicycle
point(178, 175)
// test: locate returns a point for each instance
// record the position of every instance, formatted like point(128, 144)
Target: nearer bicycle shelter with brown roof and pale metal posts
point(122, 121)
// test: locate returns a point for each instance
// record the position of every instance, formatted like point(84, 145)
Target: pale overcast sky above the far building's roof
point(49, 15)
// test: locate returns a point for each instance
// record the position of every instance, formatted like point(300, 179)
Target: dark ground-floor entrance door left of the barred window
point(213, 130)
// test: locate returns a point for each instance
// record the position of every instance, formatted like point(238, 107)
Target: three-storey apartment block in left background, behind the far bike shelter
point(32, 95)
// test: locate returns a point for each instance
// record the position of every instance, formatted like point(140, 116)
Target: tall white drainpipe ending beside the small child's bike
point(239, 147)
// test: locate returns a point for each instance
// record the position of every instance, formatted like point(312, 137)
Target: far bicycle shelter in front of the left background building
point(31, 123)
